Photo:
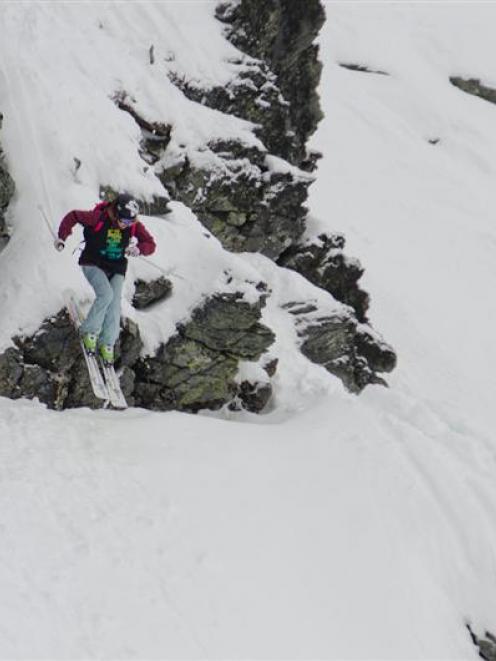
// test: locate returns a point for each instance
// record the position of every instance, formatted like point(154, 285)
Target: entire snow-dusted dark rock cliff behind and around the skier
point(251, 197)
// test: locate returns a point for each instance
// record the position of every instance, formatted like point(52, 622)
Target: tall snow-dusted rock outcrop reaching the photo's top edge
point(235, 190)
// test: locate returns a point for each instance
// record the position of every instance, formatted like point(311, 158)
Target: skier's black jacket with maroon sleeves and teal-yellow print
point(100, 250)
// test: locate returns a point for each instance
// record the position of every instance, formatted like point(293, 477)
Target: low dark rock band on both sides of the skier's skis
point(195, 369)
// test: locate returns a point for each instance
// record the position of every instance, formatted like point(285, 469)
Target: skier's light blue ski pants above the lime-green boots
point(104, 316)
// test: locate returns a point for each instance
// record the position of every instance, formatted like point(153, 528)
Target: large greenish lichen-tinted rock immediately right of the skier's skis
point(197, 368)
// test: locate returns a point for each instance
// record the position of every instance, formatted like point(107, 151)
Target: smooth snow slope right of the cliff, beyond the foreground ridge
point(419, 215)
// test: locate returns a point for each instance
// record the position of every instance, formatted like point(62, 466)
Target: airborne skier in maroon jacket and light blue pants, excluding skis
point(108, 232)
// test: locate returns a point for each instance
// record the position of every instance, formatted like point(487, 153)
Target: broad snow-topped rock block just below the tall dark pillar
point(241, 201)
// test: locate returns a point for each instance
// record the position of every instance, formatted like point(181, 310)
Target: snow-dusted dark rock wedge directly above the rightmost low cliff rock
point(323, 263)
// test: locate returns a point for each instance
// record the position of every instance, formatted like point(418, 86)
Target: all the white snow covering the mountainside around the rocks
point(334, 526)
